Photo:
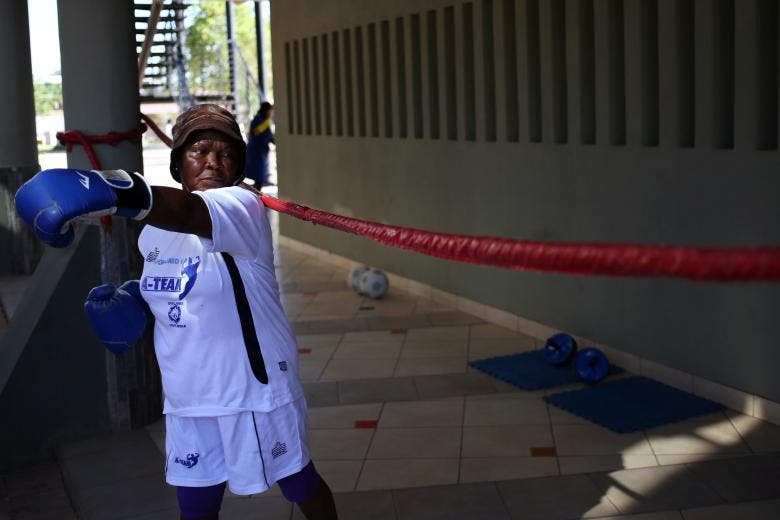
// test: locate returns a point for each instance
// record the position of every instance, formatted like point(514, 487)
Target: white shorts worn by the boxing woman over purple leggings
point(249, 450)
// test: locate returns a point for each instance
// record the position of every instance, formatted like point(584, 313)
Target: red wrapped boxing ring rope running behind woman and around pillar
point(706, 264)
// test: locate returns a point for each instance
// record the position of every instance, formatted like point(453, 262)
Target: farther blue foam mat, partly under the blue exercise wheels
point(530, 370)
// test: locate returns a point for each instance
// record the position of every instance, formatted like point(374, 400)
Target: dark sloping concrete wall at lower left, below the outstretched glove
point(56, 390)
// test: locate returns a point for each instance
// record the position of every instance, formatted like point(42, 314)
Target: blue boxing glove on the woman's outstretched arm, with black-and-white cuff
point(52, 198)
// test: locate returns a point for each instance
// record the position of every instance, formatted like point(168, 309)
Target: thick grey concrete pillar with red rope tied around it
point(100, 94)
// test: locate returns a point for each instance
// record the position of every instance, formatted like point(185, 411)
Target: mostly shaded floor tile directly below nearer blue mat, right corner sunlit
point(589, 439)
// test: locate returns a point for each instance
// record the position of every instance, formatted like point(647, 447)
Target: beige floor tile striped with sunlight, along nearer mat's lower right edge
point(715, 434)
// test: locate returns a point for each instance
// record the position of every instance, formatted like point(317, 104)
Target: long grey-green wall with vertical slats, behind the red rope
point(629, 121)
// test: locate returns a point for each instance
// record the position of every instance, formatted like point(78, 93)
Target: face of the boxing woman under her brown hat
point(210, 160)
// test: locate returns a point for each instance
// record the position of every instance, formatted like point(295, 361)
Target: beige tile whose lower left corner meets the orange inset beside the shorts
point(412, 414)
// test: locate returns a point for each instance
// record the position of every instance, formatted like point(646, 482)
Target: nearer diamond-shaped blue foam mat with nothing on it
point(632, 404)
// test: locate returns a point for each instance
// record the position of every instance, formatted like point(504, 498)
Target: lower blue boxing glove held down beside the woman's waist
point(118, 315)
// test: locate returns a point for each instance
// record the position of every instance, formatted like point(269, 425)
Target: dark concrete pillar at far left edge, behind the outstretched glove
point(19, 251)
